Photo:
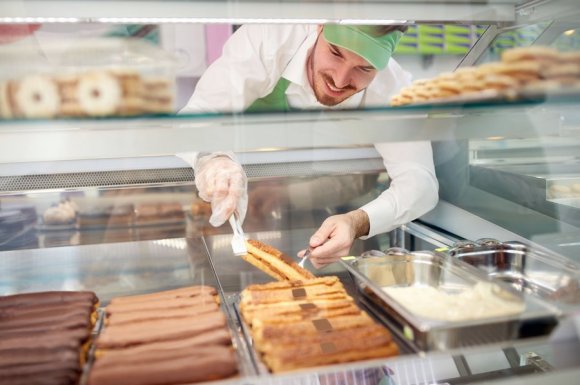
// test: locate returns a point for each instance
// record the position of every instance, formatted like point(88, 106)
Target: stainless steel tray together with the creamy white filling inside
point(437, 302)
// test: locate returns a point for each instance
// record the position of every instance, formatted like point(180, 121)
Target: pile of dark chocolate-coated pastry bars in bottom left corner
point(45, 336)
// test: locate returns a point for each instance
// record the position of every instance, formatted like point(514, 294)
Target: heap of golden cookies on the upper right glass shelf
point(523, 74)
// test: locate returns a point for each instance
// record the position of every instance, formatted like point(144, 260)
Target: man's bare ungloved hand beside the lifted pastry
point(335, 237)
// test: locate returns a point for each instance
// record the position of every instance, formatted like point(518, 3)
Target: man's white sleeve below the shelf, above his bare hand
point(413, 190)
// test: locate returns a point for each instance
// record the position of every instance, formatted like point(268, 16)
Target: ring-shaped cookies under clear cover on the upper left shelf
point(97, 77)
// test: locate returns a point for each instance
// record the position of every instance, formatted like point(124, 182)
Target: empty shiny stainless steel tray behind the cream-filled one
point(550, 277)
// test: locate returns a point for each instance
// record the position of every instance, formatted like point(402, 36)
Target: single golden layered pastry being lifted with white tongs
point(273, 262)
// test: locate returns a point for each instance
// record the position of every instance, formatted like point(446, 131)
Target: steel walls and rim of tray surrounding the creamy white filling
point(399, 268)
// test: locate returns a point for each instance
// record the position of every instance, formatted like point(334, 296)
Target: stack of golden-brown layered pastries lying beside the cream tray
point(314, 322)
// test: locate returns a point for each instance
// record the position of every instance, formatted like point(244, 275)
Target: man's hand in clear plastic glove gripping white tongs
point(221, 181)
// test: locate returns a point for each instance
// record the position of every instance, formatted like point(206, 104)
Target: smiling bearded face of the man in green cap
point(336, 73)
